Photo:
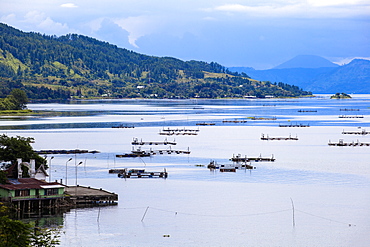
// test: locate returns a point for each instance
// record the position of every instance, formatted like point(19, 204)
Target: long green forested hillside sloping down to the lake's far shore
point(50, 67)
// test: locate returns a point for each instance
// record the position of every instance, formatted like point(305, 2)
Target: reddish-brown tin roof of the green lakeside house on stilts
point(26, 183)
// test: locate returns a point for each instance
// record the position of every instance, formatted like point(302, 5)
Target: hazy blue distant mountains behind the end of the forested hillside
point(316, 74)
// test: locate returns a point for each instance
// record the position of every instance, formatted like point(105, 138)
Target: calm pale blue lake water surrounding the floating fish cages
point(329, 186)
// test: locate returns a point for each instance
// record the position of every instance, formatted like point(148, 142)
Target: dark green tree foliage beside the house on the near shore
point(12, 148)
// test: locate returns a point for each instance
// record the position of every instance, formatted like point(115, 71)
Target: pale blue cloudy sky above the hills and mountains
point(234, 33)
